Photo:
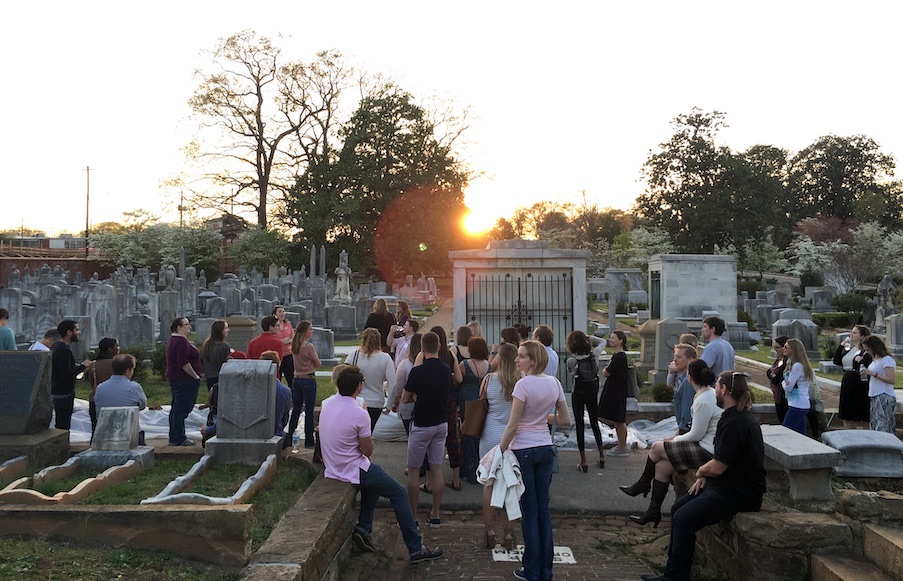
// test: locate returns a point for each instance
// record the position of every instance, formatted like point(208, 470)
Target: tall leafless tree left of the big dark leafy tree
point(261, 121)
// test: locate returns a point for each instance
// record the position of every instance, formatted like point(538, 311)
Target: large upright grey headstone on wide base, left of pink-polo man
point(245, 424)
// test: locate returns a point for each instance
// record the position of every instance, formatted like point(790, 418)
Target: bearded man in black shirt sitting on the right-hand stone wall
point(733, 481)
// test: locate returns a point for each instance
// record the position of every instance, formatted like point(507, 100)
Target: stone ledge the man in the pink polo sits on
point(307, 538)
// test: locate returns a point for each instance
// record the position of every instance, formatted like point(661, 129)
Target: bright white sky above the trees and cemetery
point(564, 97)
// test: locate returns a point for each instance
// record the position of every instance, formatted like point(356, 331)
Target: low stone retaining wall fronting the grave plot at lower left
point(219, 535)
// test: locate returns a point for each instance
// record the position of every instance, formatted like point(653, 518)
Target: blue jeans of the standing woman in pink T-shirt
point(536, 526)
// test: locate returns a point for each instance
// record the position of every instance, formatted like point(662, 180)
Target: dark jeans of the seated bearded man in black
point(690, 513)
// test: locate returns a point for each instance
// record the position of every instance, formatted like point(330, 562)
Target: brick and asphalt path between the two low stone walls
point(589, 517)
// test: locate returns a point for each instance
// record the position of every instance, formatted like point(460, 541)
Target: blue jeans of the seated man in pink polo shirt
point(376, 483)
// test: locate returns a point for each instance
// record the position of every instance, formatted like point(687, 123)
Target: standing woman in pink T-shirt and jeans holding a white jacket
point(527, 434)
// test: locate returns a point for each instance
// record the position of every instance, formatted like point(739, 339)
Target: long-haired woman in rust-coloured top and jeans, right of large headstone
point(305, 362)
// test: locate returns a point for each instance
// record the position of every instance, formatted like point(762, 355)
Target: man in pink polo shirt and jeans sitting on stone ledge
point(347, 446)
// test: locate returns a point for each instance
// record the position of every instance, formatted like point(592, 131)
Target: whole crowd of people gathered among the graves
point(428, 383)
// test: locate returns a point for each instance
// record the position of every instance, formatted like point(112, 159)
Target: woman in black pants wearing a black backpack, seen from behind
point(585, 368)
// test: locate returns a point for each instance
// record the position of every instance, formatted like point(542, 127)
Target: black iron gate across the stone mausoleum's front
point(502, 299)
